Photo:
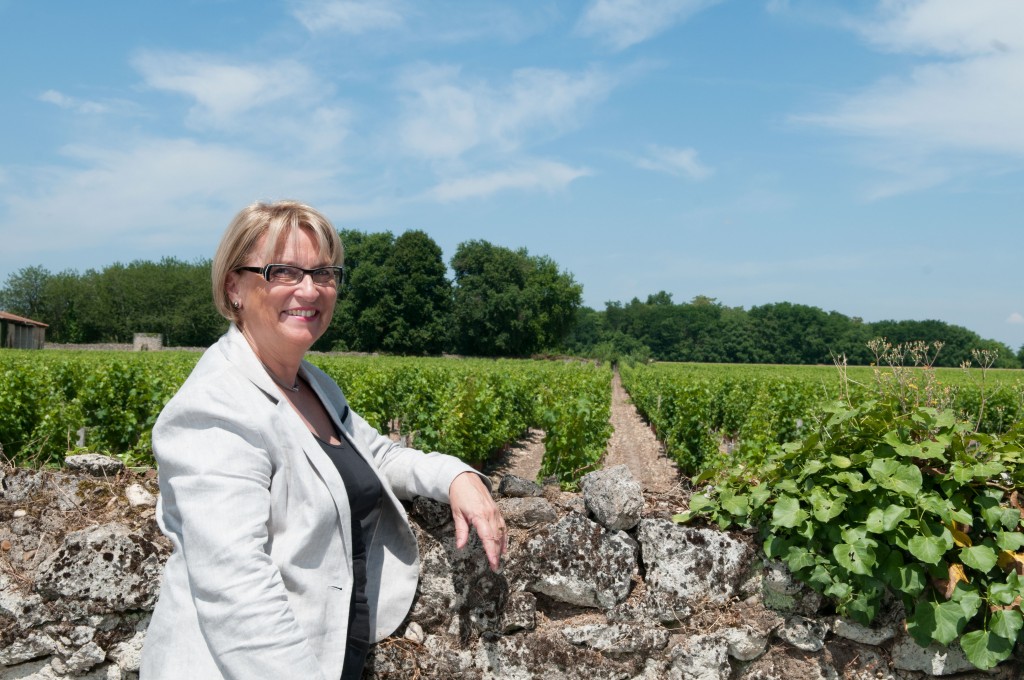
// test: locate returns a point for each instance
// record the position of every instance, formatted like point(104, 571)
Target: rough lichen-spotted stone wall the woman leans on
point(599, 585)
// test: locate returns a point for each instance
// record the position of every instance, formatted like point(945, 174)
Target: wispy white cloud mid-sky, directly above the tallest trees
point(448, 115)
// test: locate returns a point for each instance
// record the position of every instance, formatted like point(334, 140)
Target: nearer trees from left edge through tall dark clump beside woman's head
point(397, 299)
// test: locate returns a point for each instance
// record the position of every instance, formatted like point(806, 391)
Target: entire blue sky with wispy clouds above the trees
point(861, 157)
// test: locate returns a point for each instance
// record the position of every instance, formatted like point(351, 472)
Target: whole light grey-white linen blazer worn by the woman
point(260, 582)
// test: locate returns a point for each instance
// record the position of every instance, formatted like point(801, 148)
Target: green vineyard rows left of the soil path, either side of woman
point(56, 402)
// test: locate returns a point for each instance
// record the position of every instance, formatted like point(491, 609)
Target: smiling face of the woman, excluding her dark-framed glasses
point(282, 321)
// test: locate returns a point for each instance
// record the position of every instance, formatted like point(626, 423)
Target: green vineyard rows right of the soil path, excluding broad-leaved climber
point(714, 417)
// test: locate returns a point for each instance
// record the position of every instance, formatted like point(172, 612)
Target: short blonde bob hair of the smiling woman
point(277, 221)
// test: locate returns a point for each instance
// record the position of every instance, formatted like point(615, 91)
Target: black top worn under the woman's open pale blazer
point(364, 494)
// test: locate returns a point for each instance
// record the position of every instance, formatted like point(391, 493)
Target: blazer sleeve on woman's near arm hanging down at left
point(216, 479)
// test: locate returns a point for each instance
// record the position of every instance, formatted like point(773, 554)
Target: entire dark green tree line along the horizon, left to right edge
point(401, 297)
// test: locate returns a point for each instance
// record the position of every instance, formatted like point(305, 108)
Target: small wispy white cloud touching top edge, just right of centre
point(626, 23)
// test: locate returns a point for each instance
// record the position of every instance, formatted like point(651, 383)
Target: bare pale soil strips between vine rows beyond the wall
point(632, 444)
